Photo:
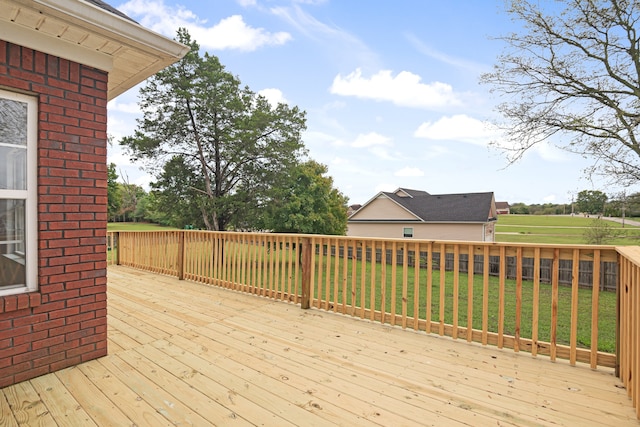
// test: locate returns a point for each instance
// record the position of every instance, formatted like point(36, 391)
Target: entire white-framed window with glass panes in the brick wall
point(18, 197)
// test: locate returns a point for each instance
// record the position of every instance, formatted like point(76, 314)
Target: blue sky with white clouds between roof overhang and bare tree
point(390, 89)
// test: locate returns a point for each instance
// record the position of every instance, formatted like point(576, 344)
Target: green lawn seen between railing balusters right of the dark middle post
point(607, 303)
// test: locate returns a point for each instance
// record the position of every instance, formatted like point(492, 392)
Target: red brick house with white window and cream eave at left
point(61, 61)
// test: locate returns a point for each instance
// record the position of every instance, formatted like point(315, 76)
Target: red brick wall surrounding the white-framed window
point(64, 322)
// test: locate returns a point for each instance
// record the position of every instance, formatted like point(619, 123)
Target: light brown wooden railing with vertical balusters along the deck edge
point(428, 286)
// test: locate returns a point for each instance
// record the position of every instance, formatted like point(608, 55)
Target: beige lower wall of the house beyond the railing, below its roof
point(430, 231)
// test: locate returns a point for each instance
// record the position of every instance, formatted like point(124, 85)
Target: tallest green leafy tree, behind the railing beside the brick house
point(231, 145)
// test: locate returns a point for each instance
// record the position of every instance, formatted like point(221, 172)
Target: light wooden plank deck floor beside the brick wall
point(188, 354)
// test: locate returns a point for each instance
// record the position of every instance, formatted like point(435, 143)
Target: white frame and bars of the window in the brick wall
point(30, 196)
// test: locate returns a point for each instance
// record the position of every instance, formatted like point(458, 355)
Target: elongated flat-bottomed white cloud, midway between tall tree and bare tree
point(404, 89)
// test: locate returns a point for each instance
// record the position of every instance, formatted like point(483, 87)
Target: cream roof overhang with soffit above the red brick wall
point(85, 33)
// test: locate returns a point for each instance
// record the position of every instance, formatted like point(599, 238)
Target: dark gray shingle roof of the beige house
point(467, 207)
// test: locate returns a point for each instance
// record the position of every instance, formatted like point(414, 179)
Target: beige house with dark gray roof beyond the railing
point(407, 213)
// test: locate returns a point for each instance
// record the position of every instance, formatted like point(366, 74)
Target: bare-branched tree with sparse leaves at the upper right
point(571, 77)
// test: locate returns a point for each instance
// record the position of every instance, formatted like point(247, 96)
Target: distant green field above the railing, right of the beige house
point(553, 229)
